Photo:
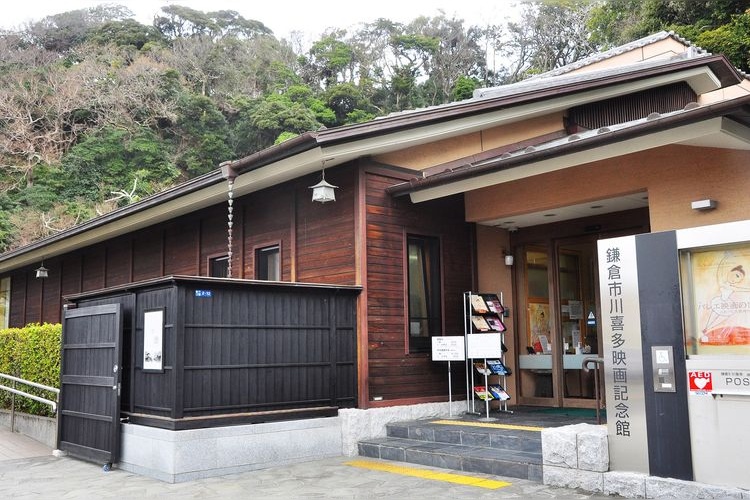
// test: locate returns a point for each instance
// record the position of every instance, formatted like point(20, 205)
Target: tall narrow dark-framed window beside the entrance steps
point(423, 268)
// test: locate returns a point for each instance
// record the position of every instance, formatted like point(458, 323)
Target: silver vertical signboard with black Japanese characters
point(623, 358)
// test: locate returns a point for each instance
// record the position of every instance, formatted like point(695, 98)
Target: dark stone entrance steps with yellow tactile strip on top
point(490, 448)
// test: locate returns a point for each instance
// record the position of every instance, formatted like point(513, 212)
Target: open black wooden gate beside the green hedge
point(88, 418)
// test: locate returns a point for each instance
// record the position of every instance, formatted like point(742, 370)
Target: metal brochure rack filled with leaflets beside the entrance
point(486, 370)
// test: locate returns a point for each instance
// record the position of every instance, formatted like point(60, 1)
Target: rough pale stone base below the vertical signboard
point(577, 456)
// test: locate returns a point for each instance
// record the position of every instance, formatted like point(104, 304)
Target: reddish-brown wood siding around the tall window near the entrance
point(393, 373)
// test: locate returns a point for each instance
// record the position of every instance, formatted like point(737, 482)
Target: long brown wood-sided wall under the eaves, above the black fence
point(320, 250)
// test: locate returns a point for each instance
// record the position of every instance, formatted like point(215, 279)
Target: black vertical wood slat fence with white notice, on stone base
point(258, 350)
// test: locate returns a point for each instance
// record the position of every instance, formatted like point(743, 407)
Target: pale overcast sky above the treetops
point(281, 16)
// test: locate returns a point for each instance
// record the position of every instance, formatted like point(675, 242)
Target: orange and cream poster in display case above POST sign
point(720, 287)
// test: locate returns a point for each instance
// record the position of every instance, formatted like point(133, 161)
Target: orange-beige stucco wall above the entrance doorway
point(673, 176)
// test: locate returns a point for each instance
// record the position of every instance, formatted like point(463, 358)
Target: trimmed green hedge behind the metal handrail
point(31, 353)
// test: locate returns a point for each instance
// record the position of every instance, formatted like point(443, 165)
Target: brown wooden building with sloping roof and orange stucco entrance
point(429, 203)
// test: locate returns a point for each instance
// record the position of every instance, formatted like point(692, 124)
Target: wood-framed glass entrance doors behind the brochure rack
point(558, 299)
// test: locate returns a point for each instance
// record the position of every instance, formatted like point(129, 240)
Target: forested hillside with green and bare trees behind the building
point(98, 110)
